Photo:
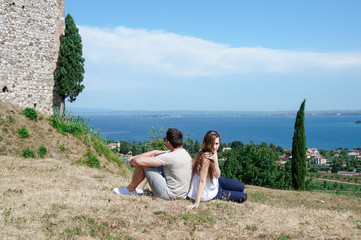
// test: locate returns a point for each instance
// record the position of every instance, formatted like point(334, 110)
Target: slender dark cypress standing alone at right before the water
point(299, 150)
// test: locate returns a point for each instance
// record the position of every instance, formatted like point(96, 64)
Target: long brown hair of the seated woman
point(208, 142)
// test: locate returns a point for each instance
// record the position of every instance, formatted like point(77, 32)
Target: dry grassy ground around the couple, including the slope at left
point(57, 198)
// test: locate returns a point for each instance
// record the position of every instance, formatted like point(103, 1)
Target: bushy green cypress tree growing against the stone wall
point(70, 72)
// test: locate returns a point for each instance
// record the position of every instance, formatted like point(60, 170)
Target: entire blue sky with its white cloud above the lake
point(230, 55)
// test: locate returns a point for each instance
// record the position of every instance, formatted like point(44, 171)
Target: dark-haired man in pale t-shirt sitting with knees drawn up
point(168, 173)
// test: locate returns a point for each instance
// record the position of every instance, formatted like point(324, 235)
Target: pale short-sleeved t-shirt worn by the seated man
point(177, 171)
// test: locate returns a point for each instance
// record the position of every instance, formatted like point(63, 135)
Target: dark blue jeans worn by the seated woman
point(231, 190)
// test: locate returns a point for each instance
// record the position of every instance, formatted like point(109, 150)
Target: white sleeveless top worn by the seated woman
point(210, 190)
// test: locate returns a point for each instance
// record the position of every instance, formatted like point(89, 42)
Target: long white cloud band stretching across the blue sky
point(175, 55)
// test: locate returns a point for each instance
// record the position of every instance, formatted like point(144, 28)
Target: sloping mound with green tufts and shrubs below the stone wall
point(27, 133)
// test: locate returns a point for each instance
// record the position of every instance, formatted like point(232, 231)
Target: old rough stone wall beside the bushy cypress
point(30, 33)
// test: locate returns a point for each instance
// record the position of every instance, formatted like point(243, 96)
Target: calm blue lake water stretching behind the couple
point(325, 132)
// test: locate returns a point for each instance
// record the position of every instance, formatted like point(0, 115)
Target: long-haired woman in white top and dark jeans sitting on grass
point(207, 182)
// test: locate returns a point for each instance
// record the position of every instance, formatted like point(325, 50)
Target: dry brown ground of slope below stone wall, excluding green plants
point(65, 146)
